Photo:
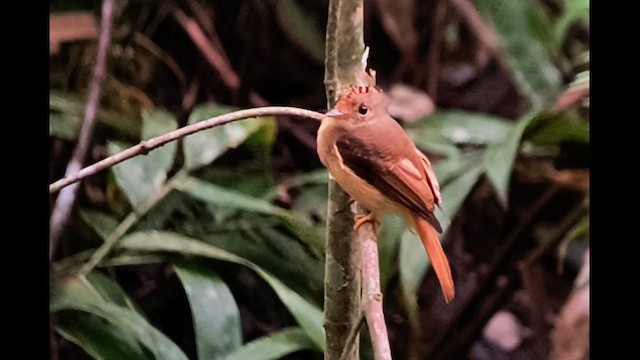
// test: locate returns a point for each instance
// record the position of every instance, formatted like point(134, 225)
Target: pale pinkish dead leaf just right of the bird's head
point(408, 103)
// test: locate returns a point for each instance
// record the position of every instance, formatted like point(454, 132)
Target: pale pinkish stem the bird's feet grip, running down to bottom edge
point(372, 294)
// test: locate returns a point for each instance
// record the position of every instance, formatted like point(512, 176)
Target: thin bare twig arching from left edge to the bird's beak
point(147, 145)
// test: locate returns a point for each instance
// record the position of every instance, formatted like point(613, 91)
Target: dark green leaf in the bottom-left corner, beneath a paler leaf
point(99, 338)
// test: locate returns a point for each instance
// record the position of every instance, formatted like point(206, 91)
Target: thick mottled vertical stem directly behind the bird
point(344, 49)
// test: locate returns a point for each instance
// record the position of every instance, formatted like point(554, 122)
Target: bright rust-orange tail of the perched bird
point(437, 256)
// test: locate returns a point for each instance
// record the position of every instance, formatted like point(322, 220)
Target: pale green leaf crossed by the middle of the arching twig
point(142, 176)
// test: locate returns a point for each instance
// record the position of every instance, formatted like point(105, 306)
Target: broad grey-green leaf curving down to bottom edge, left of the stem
point(216, 318)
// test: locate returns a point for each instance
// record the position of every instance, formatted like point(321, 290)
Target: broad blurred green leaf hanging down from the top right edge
point(526, 56)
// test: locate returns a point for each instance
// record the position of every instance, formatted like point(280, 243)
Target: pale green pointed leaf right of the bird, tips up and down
point(499, 159)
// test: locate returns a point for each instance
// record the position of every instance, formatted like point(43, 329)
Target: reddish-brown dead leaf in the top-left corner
point(71, 26)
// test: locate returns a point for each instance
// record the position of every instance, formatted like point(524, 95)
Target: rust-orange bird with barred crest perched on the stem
point(374, 160)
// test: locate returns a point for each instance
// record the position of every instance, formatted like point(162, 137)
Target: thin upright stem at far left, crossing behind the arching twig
point(66, 199)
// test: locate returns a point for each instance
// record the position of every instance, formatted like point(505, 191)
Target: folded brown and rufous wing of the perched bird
point(396, 169)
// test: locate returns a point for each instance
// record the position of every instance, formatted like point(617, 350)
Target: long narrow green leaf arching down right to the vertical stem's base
point(308, 316)
